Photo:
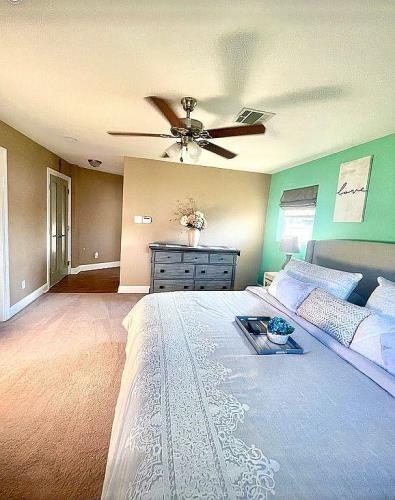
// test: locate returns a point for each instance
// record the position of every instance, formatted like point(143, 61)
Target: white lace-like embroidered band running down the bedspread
point(184, 431)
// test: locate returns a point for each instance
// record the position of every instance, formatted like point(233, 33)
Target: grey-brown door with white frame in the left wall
point(58, 226)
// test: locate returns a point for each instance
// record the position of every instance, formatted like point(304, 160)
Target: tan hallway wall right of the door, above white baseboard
point(96, 216)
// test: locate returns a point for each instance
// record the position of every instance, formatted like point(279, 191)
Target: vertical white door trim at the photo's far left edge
point(4, 254)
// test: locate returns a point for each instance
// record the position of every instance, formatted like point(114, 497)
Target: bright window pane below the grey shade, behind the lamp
point(298, 222)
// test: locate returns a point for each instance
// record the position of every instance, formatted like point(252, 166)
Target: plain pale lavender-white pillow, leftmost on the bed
point(289, 291)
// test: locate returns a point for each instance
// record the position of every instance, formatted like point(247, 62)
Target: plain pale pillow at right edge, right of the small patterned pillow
point(368, 339)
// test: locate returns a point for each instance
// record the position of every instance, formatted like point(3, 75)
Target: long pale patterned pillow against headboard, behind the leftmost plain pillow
point(339, 283)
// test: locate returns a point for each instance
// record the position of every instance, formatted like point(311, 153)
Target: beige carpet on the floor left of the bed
point(61, 360)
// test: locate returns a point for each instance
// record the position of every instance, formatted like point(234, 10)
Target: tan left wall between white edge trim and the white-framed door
point(27, 164)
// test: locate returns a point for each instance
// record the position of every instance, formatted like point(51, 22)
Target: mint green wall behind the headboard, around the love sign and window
point(379, 220)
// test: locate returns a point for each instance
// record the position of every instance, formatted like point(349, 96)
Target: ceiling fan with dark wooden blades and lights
point(190, 134)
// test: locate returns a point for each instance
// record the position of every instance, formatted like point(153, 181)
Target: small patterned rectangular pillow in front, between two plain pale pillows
point(335, 316)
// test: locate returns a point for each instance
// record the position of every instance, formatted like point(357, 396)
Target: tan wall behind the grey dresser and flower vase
point(233, 201)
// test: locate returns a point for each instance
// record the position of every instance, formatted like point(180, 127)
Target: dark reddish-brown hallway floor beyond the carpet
point(98, 281)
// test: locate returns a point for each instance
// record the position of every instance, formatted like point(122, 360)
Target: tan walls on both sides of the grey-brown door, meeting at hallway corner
point(96, 214)
